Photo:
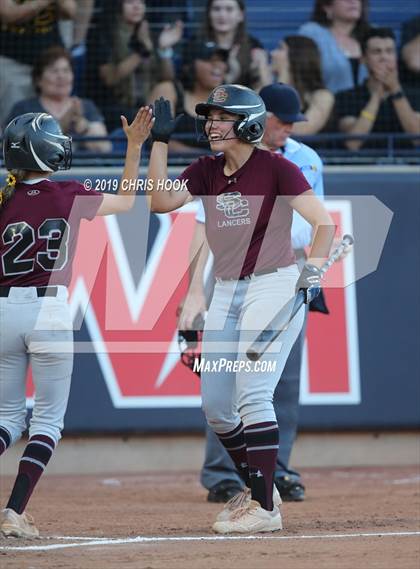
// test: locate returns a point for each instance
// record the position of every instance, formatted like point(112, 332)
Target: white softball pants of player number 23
point(37, 331)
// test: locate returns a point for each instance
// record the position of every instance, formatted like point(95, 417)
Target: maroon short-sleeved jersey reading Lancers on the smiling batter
point(248, 215)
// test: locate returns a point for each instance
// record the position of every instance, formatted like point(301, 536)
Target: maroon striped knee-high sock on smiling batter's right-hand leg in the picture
point(262, 443)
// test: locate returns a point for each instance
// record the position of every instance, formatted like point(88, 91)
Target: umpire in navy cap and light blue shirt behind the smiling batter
point(218, 474)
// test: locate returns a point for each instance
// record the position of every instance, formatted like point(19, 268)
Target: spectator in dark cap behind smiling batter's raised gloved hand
point(204, 69)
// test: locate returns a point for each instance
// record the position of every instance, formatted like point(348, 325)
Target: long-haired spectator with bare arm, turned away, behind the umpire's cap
point(296, 61)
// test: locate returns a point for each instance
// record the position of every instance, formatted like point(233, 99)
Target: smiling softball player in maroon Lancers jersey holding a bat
point(249, 195)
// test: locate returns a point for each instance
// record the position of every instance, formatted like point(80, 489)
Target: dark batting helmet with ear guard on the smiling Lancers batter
point(241, 101)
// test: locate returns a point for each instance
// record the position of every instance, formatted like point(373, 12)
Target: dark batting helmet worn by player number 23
point(34, 141)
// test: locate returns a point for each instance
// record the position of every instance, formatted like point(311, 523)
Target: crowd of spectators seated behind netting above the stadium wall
point(352, 77)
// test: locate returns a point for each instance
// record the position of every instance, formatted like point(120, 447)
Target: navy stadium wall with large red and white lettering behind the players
point(362, 362)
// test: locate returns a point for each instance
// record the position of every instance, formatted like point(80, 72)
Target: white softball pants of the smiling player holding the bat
point(239, 310)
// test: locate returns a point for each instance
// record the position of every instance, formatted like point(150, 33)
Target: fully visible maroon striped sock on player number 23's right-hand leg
point(35, 458)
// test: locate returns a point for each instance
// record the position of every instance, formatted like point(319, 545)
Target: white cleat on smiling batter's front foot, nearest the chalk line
point(250, 519)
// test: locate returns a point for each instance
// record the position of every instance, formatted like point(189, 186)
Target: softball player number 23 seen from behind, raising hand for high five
point(39, 224)
